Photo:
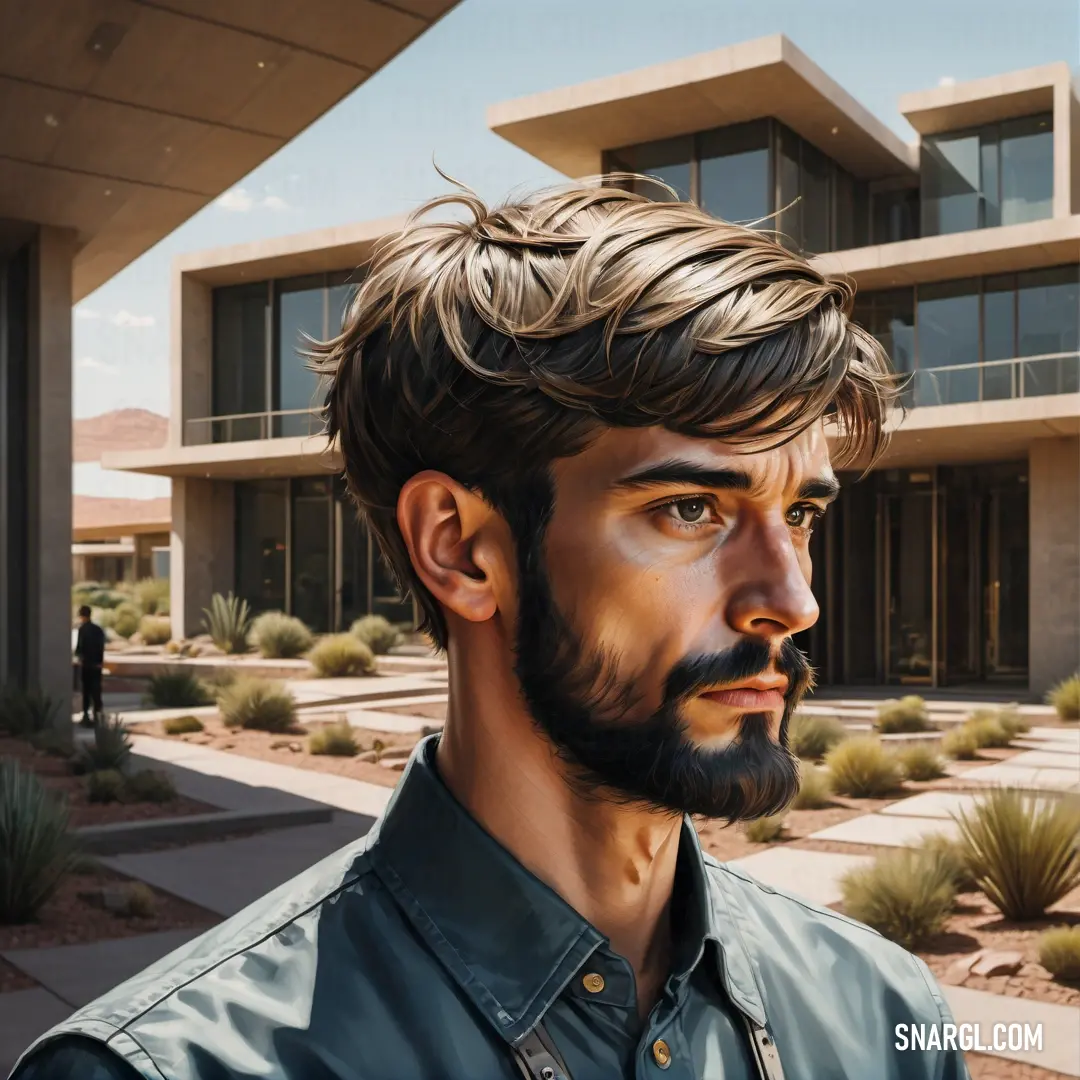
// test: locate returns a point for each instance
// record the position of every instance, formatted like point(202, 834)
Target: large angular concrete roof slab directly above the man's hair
point(570, 128)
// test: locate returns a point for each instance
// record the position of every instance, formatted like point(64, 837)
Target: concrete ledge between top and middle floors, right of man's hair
point(1003, 250)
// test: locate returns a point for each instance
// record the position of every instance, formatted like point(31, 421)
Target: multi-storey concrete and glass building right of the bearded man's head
point(957, 561)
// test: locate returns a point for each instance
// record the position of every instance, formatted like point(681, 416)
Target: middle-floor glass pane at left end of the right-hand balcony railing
point(948, 339)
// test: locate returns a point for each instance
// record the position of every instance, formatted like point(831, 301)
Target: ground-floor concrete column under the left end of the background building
point(201, 550)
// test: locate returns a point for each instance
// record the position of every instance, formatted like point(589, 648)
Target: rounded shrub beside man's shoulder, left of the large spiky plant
point(902, 895)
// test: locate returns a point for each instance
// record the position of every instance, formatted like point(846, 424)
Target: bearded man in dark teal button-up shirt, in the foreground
point(589, 433)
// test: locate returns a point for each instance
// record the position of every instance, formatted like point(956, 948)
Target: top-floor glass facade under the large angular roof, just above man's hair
point(750, 172)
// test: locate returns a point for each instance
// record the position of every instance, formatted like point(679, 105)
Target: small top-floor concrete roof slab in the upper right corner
point(984, 101)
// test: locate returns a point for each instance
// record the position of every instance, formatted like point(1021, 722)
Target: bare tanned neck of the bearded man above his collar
point(613, 865)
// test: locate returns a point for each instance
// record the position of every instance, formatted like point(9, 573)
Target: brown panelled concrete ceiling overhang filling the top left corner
point(121, 119)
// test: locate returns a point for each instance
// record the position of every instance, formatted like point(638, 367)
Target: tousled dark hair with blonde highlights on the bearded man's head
point(490, 346)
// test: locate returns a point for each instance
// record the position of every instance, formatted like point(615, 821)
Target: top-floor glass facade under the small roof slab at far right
point(1000, 174)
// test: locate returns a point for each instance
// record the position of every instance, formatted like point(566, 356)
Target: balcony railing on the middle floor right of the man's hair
point(1051, 373)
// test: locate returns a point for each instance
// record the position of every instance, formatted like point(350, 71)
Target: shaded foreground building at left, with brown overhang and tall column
point(118, 123)
